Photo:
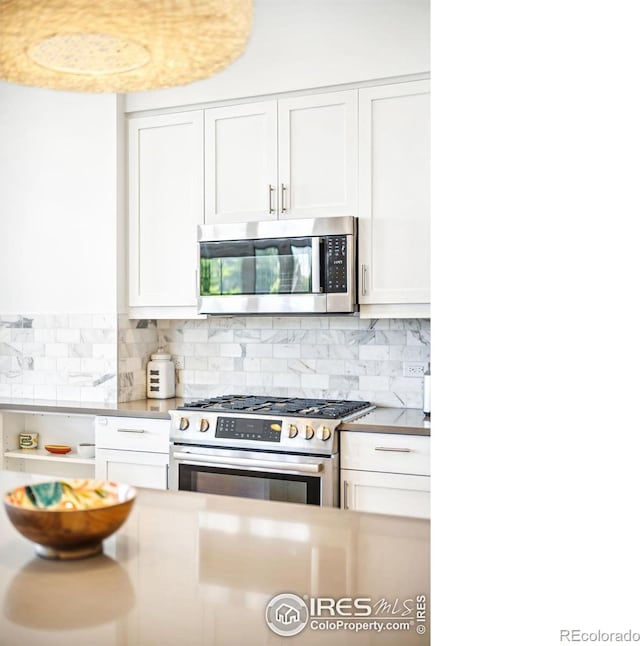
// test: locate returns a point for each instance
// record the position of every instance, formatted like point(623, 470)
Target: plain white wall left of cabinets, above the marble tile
point(57, 201)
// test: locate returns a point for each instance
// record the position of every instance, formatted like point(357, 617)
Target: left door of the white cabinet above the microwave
point(240, 163)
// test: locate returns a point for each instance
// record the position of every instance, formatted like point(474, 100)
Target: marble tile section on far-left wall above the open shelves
point(59, 356)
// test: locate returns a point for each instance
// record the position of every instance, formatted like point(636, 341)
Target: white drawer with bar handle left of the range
point(133, 433)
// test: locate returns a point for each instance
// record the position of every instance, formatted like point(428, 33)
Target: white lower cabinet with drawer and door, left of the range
point(133, 450)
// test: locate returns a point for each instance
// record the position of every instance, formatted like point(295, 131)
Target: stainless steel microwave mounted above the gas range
point(298, 266)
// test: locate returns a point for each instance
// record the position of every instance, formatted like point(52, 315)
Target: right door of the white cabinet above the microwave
point(317, 155)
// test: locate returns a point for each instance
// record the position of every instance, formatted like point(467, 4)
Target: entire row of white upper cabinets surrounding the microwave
point(362, 152)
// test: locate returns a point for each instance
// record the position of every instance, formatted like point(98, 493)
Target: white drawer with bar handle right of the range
point(386, 452)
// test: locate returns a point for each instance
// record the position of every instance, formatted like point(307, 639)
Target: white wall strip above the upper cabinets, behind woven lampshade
point(299, 44)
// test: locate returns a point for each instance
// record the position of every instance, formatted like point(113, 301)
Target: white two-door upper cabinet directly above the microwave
point(291, 158)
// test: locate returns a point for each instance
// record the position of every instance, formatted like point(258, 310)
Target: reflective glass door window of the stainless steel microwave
point(279, 266)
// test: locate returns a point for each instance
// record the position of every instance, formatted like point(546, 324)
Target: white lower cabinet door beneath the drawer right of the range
point(386, 493)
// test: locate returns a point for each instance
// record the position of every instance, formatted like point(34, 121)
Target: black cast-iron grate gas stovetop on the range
point(291, 406)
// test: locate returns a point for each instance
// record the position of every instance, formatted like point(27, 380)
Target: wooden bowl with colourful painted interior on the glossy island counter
point(68, 519)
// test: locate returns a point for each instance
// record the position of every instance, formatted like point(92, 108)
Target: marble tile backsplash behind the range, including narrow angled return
point(330, 357)
